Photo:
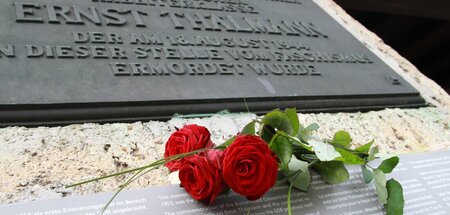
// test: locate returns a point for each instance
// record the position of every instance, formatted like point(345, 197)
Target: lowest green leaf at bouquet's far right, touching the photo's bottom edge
point(395, 201)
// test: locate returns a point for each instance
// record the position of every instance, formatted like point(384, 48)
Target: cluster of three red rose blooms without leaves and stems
point(247, 165)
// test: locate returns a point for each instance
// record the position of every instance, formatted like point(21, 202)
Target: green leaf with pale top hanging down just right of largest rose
point(298, 174)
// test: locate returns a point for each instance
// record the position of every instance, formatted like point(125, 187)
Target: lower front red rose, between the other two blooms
point(201, 178)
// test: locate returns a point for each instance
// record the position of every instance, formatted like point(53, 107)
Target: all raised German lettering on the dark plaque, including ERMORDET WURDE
point(159, 54)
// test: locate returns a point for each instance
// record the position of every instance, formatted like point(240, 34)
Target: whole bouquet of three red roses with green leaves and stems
point(249, 162)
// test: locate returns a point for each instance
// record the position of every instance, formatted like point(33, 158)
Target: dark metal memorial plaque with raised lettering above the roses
point(118, 60)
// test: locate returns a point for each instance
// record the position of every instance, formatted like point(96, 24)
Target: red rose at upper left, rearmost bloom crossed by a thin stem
point(187, 139)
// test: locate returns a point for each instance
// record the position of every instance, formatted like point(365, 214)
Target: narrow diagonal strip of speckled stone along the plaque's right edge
point(430, 91)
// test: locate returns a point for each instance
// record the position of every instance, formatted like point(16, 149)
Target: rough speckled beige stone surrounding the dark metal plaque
point(37, 163)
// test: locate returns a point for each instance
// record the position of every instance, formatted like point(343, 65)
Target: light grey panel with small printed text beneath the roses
point(424, 178)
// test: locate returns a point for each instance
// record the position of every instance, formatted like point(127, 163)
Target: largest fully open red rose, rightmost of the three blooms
point(249, 166)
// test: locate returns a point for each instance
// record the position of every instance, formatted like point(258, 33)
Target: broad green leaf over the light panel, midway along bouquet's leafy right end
point(333, 172)
